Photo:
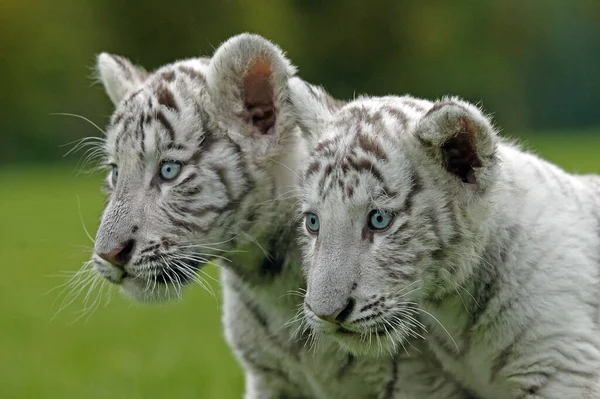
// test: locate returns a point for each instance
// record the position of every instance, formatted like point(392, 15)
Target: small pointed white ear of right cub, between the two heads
point(313, 106)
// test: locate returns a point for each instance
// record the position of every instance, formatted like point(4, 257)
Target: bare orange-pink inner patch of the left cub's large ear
point(258, 95)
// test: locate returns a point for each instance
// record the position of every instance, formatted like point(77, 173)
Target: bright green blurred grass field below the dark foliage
point(122, 350)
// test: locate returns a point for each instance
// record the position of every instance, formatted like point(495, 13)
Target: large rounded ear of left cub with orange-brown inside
point(248, 81)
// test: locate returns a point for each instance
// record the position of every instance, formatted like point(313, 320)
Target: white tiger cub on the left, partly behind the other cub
point(203, 155)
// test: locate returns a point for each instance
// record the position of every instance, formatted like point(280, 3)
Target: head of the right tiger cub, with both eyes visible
point(394, 196)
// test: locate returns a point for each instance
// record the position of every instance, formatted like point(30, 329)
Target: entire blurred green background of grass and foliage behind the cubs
point(534, 64)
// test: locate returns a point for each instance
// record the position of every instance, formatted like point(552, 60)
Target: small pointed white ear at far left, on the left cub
point(118, 75)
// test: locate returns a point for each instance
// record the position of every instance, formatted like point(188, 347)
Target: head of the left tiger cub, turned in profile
point(197, 152)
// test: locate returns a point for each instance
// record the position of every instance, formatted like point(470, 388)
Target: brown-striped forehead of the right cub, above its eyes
point(364, 137)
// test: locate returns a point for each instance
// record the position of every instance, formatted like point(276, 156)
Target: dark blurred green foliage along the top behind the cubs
point(534, 64)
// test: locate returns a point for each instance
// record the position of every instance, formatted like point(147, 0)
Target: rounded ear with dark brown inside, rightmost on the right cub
point(461, 138)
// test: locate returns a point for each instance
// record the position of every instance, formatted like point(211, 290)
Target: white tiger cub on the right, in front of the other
point(418, 212)
